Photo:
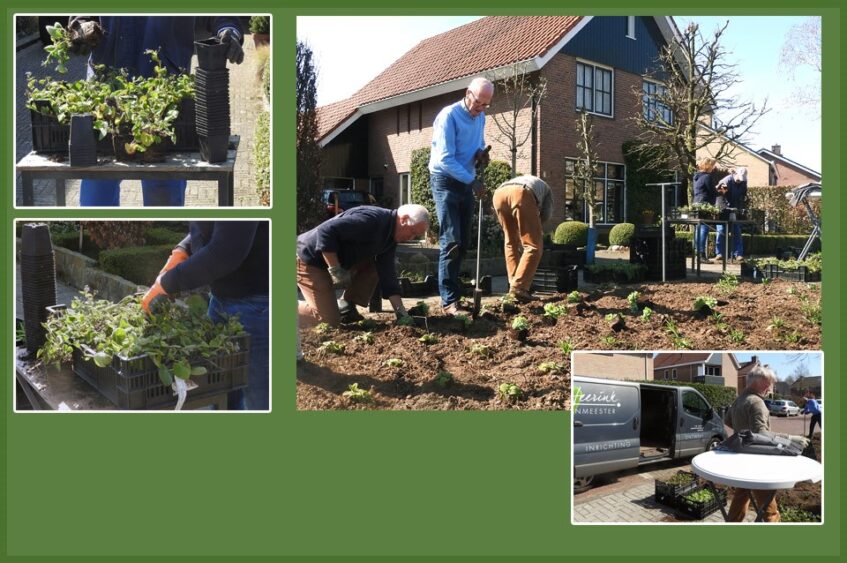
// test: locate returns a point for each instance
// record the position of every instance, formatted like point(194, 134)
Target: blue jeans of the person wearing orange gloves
point(253, 312)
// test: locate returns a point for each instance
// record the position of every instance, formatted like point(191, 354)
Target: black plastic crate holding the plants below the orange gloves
point(134, 384)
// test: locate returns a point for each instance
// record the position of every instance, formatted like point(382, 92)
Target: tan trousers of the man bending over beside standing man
point(518, 214)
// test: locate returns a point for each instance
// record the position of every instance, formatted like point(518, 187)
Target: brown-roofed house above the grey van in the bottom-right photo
point(716, 368)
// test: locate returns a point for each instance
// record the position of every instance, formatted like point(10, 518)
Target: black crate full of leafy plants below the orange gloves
point(133, 359)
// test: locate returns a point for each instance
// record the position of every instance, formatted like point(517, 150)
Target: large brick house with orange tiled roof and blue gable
point(594, 64)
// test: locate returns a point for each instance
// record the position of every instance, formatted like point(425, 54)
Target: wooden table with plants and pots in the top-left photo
point(177, 166)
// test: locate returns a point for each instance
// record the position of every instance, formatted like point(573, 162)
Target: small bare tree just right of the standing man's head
point(523, 93)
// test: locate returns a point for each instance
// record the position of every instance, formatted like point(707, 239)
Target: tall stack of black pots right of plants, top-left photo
point(212, 99)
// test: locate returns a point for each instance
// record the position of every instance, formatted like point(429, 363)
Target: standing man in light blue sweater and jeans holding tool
point(458, 145)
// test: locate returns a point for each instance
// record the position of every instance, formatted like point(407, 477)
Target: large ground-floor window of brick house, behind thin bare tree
point(609, 193)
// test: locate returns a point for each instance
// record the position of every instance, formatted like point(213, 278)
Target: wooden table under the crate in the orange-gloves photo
point(61, 389)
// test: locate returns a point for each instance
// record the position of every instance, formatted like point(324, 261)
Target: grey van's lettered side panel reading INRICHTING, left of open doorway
point(606, 426)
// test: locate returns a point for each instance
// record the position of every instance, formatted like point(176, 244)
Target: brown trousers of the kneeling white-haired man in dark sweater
point(316, 285)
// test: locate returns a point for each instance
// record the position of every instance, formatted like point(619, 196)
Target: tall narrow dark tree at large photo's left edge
point(308, 149)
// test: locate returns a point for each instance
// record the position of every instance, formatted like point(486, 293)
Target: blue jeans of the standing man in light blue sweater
point(454, 203)
